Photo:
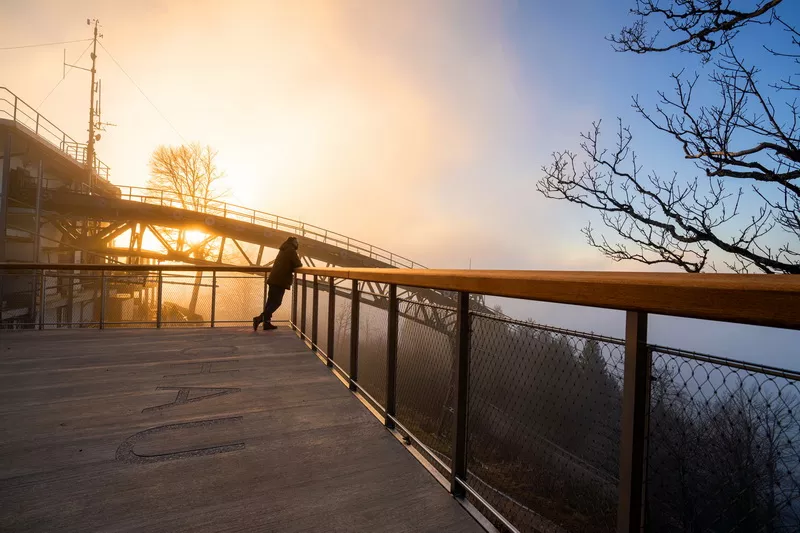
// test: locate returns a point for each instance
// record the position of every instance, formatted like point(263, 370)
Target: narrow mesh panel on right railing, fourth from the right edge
point(373, 322)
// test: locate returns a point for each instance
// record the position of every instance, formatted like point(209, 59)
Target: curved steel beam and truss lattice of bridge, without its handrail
point(425, 306)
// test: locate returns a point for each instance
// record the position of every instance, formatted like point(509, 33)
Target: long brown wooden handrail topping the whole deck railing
point(759, 299)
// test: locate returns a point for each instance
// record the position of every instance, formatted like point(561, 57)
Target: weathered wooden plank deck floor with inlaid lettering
point(202, 430)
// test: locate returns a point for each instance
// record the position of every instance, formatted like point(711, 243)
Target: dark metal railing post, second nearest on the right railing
point(459, 469)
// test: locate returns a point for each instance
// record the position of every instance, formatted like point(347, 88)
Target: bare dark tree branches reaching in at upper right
point(746, 208)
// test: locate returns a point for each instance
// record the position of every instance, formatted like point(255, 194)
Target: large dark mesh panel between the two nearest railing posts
point(544, 424)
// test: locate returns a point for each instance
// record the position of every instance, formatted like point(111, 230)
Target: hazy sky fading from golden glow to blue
point(418, 126)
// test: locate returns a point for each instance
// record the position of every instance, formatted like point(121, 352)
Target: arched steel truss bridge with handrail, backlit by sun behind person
point(94, 223)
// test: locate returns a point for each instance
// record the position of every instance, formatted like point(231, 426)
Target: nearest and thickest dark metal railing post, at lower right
point(635, 399)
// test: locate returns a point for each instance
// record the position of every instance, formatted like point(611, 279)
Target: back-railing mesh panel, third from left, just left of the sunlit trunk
point(129, 299)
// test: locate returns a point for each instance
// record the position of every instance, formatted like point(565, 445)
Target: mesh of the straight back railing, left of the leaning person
point(117, 298)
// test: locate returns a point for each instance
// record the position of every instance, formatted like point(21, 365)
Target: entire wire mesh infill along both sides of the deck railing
point(544, 405)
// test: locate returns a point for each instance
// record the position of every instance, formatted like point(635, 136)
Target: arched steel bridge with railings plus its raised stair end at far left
point(93, 220)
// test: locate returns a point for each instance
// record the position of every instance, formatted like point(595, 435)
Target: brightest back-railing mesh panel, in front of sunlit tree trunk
point(186, 299)
